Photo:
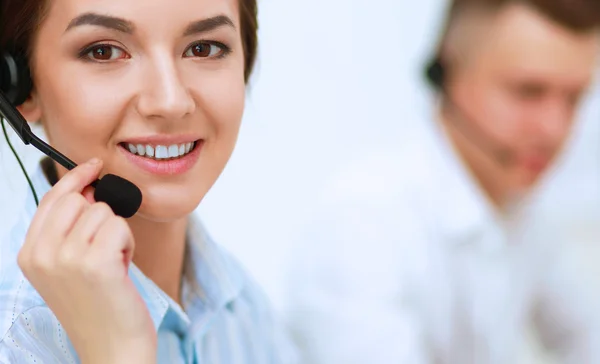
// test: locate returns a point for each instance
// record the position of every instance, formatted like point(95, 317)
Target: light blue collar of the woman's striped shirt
point(219, 279)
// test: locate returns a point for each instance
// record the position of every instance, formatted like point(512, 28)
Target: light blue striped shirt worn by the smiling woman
point(226, 321)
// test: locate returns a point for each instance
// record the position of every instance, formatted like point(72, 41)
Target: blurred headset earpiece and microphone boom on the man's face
point(436, 75)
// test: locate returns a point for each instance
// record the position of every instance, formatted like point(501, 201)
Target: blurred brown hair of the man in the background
point(577, 15)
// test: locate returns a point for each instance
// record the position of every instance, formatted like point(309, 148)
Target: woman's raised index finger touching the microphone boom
point(74, 181)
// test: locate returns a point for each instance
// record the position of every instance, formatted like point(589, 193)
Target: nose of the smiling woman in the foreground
point(164, 95)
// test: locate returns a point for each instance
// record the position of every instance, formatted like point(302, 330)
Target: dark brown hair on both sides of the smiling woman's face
point(20, 20)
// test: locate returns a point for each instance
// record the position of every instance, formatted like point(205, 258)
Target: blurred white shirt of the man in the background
point(407, 262)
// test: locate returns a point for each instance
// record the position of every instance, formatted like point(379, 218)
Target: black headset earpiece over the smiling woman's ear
point(15, 77)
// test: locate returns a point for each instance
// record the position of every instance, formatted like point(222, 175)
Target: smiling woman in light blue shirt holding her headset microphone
point(152, 91)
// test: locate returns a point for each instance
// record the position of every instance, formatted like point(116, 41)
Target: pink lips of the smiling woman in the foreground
point(165, 167)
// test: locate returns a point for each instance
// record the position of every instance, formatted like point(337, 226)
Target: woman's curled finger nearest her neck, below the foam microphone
point(113, 240)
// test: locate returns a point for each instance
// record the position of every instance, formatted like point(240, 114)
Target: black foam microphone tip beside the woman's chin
point(123, 197)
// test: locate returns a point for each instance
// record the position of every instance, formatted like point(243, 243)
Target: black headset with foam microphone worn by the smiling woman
point(16, 85)
